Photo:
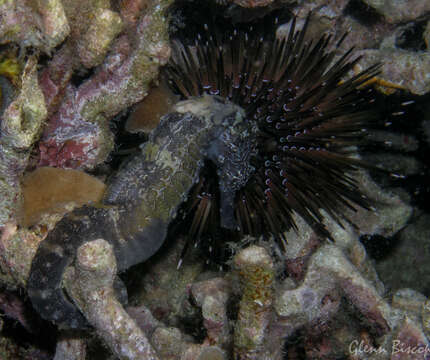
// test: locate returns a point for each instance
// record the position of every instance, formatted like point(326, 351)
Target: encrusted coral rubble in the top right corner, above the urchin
point(377, 28)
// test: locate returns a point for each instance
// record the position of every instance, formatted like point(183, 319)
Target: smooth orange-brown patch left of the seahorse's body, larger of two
point(54, 190)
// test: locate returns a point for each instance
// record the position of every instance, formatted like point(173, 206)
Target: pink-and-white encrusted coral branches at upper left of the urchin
point(77, 134)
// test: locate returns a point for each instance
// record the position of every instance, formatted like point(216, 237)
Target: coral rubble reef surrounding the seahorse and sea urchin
point(77, 65)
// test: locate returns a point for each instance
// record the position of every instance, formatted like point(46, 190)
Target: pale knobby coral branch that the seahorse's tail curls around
point(91, 284)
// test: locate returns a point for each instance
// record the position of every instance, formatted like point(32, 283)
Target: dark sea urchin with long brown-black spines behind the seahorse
point(309, 117)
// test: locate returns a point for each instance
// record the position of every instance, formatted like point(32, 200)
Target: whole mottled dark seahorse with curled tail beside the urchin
point(144, 196)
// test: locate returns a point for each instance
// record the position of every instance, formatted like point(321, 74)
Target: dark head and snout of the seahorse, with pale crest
point(231, 144)
